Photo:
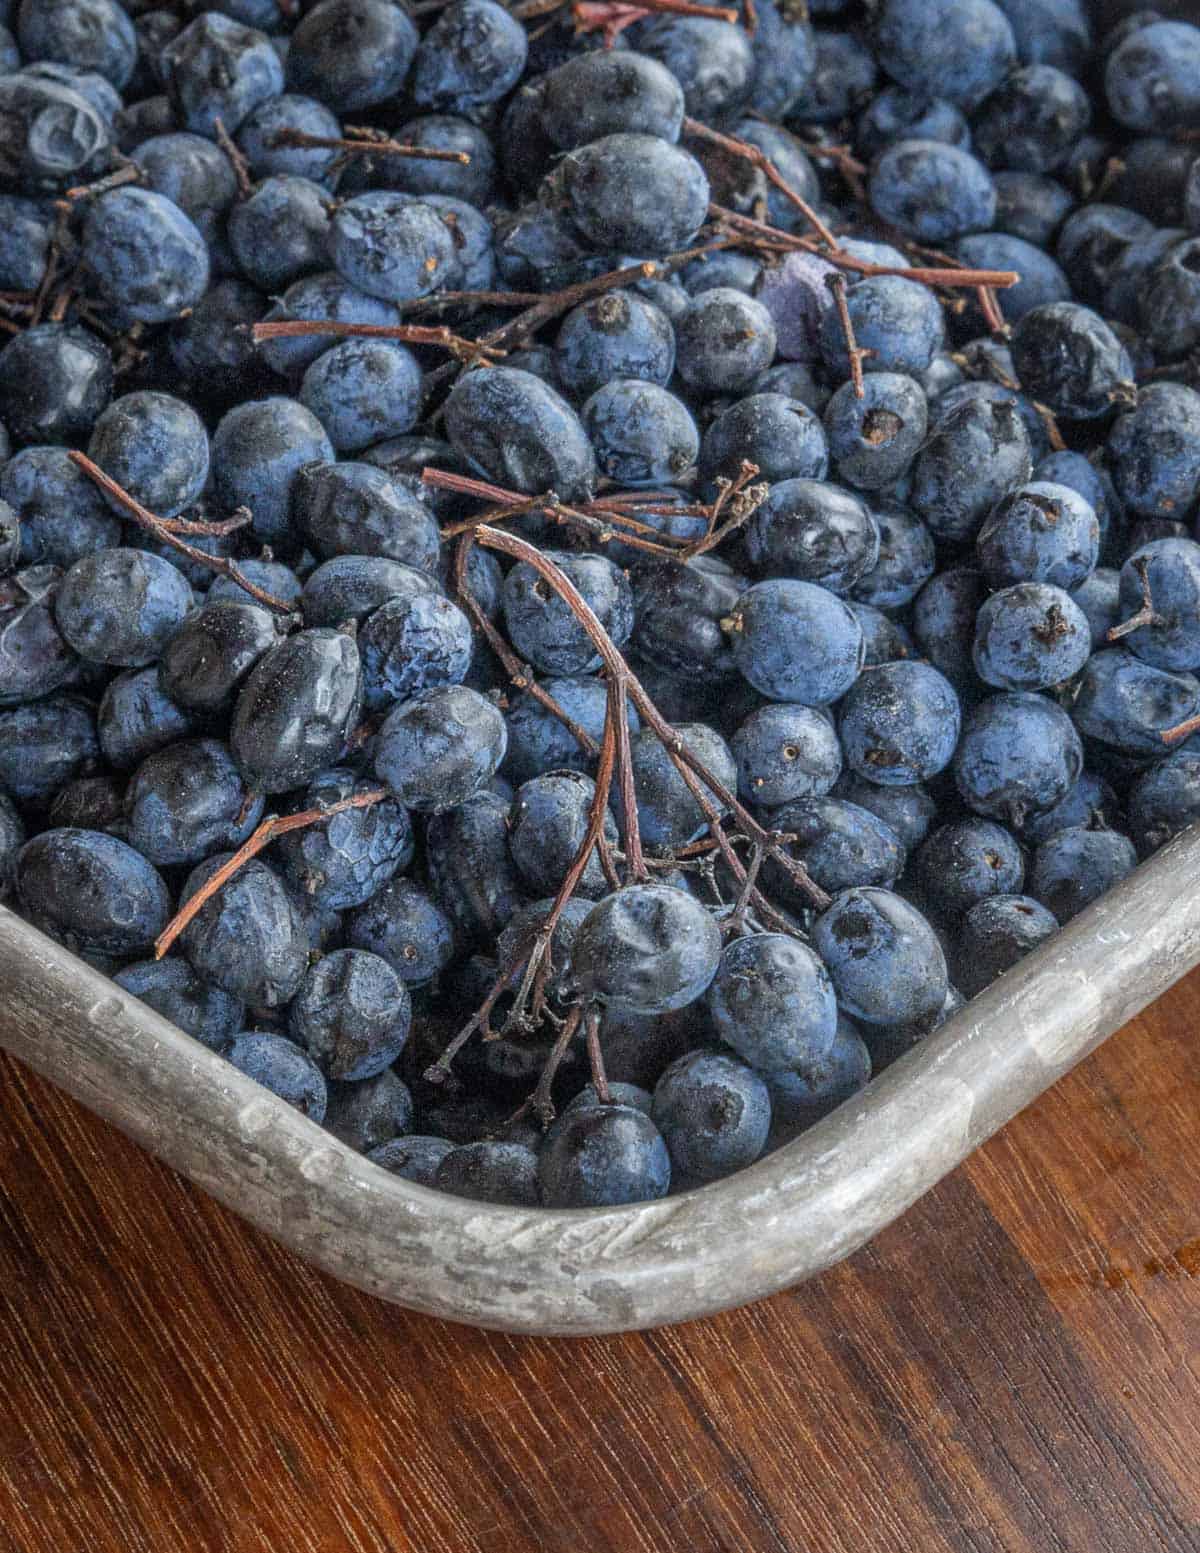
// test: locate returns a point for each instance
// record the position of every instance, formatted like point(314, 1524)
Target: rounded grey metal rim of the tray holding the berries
point(608, 1270)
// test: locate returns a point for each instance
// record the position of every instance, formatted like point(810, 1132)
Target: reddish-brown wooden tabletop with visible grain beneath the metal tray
point(1013, 1367)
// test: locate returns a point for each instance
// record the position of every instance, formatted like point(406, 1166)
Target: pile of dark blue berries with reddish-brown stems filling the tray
point(577, 574)
